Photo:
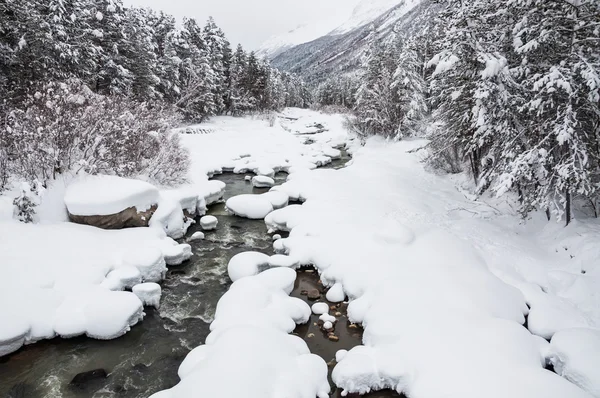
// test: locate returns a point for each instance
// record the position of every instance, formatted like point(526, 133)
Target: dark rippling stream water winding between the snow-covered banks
point(146, 359)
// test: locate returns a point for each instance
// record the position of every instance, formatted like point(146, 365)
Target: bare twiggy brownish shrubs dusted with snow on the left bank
point(65, 127)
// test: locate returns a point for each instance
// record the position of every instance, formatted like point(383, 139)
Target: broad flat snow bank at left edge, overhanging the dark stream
point(58, 279)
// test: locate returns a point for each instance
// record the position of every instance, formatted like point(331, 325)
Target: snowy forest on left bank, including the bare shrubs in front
point(84, 82)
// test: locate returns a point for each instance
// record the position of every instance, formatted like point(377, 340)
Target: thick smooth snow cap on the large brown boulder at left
point(105, 195)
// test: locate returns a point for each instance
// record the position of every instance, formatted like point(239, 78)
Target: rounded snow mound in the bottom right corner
point(575, 355)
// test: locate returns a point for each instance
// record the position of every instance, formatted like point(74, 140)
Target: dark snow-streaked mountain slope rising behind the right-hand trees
point(341, 50)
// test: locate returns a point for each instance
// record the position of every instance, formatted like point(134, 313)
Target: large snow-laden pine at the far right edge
point(559, 51)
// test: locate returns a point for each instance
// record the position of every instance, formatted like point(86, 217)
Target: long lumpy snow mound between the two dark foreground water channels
point(249, 343)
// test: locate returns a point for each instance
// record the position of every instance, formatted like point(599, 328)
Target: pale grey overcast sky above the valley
point(251, 22)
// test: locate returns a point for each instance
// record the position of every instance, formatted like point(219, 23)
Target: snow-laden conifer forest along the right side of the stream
point(508, 91)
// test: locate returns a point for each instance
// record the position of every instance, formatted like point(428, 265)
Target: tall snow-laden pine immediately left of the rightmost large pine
point(472, 89)
